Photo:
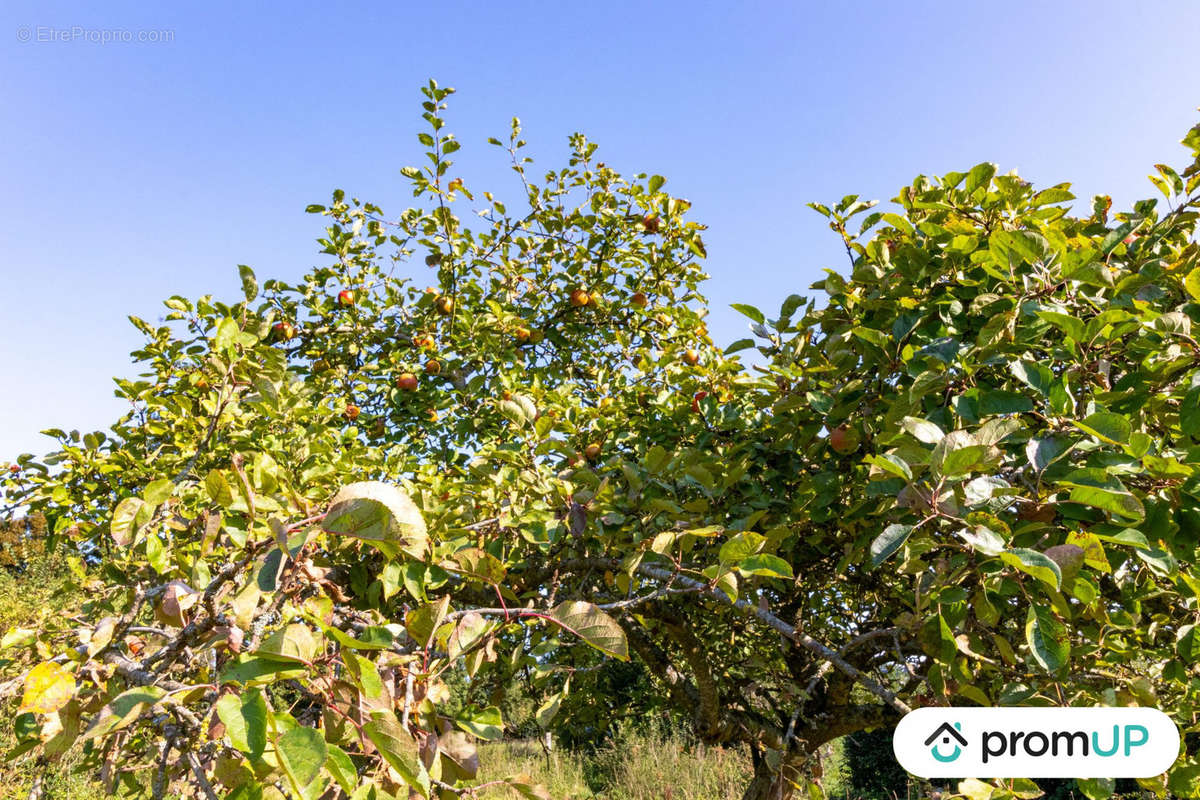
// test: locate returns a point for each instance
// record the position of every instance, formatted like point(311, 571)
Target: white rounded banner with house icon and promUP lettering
point(986, 743)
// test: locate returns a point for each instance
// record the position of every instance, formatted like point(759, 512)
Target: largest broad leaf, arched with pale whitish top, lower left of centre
point(381, 514)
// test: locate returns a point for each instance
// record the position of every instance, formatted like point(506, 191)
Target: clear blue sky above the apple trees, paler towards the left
point(135, 171)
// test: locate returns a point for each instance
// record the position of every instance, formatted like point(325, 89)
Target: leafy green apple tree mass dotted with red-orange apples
point(970, 477)
